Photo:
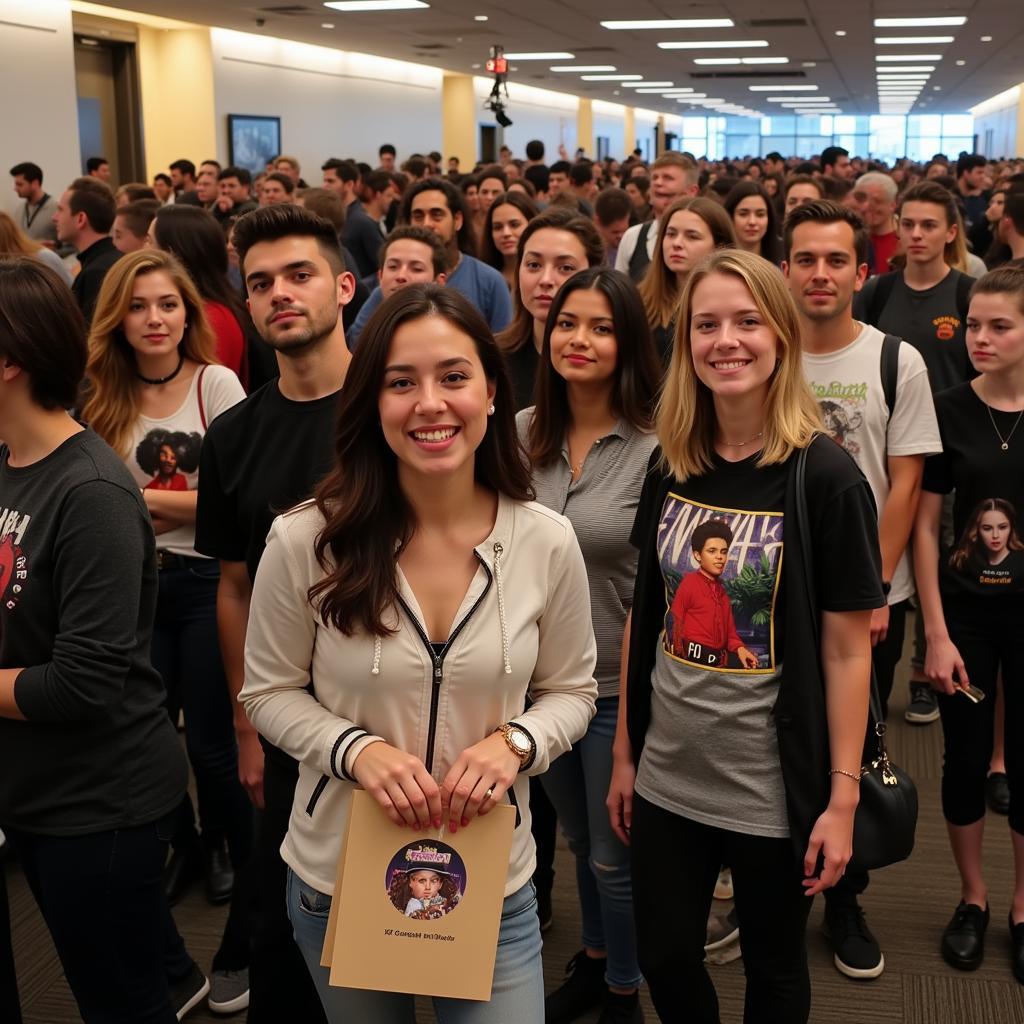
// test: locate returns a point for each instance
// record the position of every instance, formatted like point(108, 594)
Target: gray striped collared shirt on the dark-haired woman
point(602, 506)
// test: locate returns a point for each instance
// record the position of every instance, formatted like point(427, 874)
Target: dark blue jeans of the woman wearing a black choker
point(187, 654)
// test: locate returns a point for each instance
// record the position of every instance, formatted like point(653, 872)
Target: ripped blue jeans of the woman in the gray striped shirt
point(578, 786)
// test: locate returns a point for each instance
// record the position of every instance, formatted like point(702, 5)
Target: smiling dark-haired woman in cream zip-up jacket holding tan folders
point(401, 621)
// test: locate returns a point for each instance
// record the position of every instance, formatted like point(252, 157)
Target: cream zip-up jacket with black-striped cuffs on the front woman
point(524, 630)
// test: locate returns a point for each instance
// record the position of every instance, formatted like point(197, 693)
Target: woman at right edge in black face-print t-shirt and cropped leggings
point(972, 599)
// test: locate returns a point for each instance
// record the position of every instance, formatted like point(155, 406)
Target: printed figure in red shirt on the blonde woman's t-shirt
point(703, 627)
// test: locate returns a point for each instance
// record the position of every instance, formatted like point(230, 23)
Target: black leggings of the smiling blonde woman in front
point(675, 865)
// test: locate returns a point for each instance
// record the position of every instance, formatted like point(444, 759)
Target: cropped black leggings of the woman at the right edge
point(989, 635)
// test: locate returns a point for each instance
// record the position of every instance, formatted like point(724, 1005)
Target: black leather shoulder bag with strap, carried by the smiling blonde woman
point(887, 815)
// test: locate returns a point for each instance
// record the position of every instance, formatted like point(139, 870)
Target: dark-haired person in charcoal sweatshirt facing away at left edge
point(91, 767)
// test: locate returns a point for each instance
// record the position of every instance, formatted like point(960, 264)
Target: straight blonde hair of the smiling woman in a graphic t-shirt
point(686, 420)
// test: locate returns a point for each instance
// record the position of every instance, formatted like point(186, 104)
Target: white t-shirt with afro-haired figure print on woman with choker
point(165, 452)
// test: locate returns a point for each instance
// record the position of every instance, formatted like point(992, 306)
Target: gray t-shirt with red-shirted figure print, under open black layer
point(712, 751)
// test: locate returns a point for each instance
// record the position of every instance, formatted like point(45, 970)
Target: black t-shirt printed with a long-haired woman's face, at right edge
point(988, 558)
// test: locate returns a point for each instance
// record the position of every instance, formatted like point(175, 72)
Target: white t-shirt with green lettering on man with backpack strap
point(848, 387)
